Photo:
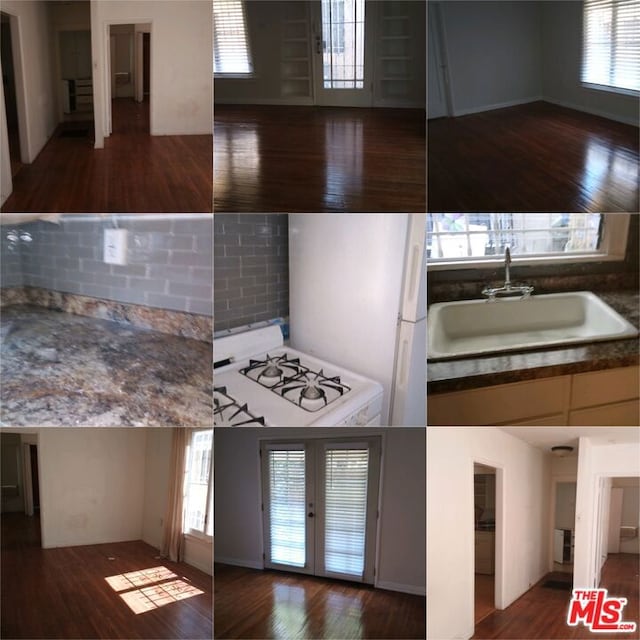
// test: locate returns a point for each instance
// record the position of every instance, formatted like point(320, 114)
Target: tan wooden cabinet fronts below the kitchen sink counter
point(597, 398)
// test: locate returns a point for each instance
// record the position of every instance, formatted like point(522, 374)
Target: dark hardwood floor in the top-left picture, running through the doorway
point(135, 172)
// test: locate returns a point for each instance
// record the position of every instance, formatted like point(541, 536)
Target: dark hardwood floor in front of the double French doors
point(273, 604)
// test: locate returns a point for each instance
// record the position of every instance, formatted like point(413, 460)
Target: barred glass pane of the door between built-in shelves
point(343, 44)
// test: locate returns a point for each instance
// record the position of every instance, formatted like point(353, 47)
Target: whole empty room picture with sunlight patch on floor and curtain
point(97, 538)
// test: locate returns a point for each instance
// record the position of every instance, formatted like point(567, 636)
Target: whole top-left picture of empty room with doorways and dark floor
point(106, 106)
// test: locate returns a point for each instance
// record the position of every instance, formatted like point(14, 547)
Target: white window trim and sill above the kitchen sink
point(613, 249)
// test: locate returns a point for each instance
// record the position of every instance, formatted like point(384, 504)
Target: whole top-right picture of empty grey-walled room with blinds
point(533, 106)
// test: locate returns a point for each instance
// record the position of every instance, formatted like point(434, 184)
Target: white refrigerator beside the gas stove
point(357, 297)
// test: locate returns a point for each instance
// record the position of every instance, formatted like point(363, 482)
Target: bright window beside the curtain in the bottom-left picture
point(198, 502)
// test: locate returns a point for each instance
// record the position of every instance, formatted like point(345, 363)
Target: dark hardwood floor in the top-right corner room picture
point(533, 157)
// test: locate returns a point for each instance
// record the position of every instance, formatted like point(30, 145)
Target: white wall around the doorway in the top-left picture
point(181, 62)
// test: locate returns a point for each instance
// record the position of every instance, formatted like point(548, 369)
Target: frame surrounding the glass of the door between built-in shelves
point(343, 97)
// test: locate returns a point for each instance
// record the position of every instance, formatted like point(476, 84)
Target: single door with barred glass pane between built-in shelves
point(343, 53)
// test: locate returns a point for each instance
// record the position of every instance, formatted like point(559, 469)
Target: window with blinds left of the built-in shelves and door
point(231, 55)
